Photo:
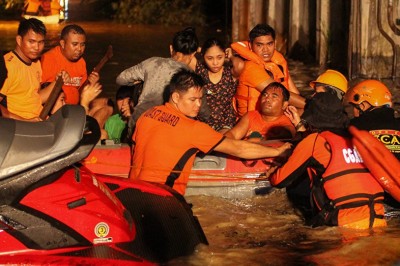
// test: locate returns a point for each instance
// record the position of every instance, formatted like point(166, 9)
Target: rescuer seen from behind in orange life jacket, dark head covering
point(343, 191)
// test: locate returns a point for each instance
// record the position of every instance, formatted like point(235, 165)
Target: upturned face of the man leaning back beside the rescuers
point(272, 102)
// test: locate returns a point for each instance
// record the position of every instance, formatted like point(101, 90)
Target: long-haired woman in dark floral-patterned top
point(220, 85)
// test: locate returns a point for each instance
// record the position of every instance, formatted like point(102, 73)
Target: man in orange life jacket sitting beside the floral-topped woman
point(262, 65)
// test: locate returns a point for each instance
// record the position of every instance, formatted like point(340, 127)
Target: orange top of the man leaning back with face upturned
point(279, 128)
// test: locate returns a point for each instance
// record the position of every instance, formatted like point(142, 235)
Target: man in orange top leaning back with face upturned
point(269, 122)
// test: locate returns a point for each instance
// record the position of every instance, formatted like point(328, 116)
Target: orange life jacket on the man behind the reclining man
point(277, 68)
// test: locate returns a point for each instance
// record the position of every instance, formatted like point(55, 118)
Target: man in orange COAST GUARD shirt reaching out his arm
point(176, 136)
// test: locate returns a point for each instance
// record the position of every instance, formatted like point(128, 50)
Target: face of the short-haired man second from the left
point(73, 46)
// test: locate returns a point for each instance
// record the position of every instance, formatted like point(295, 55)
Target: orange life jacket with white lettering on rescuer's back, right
point(345, 184)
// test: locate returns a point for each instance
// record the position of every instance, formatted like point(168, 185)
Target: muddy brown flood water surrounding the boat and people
point(261, 230)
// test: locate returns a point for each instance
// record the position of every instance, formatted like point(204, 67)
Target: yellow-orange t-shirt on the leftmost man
point(21, 86)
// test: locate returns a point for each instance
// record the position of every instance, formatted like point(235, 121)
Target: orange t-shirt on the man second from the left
point(53, 61)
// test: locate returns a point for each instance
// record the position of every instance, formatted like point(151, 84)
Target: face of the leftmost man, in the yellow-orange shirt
point(31, 45)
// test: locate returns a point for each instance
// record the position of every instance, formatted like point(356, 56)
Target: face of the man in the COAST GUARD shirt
point(189, 102)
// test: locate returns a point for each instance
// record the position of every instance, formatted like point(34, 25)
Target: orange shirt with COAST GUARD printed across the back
point(166, 142)
